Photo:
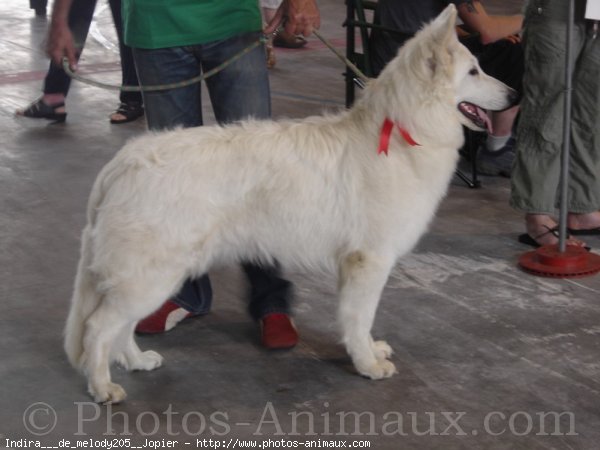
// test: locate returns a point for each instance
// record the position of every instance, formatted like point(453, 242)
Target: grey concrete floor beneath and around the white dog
point(488, 356)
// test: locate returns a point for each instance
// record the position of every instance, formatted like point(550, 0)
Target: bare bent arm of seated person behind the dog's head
point(490, 28)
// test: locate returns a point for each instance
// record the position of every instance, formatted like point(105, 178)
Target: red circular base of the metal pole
point(548, 261)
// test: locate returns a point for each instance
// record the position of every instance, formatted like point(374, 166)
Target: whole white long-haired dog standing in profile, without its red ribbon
point(309, 193)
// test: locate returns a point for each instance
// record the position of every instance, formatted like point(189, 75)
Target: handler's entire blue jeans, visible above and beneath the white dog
point(238, 92)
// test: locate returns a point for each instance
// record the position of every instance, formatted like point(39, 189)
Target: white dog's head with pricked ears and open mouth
point(444, 71)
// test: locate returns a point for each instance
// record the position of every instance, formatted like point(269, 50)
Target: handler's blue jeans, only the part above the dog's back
point(239, 91)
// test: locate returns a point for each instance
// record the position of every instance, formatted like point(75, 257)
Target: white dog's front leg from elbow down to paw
point(362, 278)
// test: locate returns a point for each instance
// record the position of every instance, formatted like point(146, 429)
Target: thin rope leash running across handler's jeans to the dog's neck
point(204, 76)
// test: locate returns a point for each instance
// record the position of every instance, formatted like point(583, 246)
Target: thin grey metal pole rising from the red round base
point(564, 173)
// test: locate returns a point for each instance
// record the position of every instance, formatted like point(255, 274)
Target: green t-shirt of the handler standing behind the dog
point(155, 24)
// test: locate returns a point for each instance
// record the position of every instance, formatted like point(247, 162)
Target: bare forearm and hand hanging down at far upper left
point(60, 40)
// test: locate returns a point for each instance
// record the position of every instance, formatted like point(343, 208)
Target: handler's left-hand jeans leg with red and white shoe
point(165, 110)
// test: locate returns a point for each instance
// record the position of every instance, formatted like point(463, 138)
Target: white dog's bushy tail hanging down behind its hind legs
point(84, 302)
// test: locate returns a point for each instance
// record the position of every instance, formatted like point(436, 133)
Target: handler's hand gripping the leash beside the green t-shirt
point(298, 16)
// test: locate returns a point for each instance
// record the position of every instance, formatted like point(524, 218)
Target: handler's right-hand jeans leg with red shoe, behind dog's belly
point(238, 92)
